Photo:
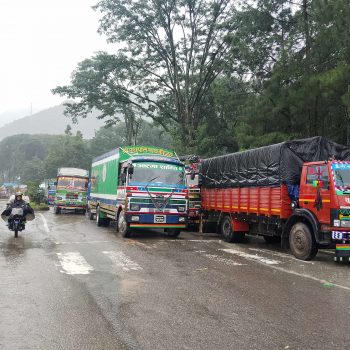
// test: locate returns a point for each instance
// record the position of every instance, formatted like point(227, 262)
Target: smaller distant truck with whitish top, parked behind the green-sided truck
point(71, 190)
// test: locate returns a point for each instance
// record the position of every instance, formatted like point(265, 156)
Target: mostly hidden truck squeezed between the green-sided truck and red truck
point(192, 165)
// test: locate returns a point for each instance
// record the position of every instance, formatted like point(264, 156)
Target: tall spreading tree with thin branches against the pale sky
point(172, 51)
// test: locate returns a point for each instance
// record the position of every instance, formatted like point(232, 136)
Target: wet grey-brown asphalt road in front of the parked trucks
point(66, 284)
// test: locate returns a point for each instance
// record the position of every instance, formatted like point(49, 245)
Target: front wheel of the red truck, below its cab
point(302, 243)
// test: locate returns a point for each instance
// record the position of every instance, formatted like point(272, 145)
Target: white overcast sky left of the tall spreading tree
point(41, 42)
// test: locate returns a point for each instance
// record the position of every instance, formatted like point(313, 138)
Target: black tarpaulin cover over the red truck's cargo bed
point(269, 165)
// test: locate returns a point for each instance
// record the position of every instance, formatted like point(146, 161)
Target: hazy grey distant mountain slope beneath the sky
point(50, 121)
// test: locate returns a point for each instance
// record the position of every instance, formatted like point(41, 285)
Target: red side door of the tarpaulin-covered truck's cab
point(315, 195)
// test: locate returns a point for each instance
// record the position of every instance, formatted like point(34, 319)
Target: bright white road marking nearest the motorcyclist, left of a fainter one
point(73, 263)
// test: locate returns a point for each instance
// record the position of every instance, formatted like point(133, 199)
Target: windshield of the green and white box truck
point(159, 174)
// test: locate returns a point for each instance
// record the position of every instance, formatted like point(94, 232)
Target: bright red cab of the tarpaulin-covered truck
point(325, 198)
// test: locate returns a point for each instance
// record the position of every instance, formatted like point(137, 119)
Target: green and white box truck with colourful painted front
point(139, 187)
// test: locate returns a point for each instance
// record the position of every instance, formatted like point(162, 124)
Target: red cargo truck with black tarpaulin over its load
point(295, 191)
